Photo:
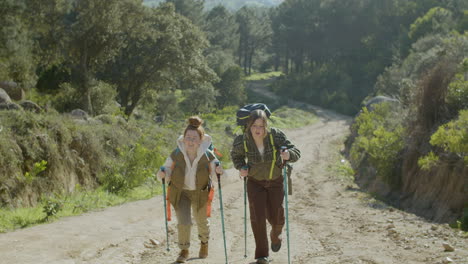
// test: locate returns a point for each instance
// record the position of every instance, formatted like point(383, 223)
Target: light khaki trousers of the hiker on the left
point(188, 202)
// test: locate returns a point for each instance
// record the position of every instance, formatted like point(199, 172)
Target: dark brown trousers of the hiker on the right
point(265, 203)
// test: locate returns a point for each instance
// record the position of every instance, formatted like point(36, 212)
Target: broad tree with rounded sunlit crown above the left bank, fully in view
point(163, 52)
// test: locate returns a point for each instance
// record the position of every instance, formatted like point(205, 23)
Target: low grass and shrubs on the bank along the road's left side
point(124, 158)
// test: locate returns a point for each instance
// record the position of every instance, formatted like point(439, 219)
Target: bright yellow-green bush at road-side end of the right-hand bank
point(380, 137)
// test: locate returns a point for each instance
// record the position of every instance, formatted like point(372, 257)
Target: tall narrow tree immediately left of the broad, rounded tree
point(95, 36)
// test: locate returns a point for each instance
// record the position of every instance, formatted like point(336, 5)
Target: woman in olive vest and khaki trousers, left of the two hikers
point(189, 169)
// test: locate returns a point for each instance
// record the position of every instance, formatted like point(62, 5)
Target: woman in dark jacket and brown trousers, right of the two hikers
point(261, 145)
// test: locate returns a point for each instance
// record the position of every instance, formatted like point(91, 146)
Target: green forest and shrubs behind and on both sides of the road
point(105, 85)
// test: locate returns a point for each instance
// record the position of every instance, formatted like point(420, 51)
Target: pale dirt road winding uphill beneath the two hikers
point(331, 221)
